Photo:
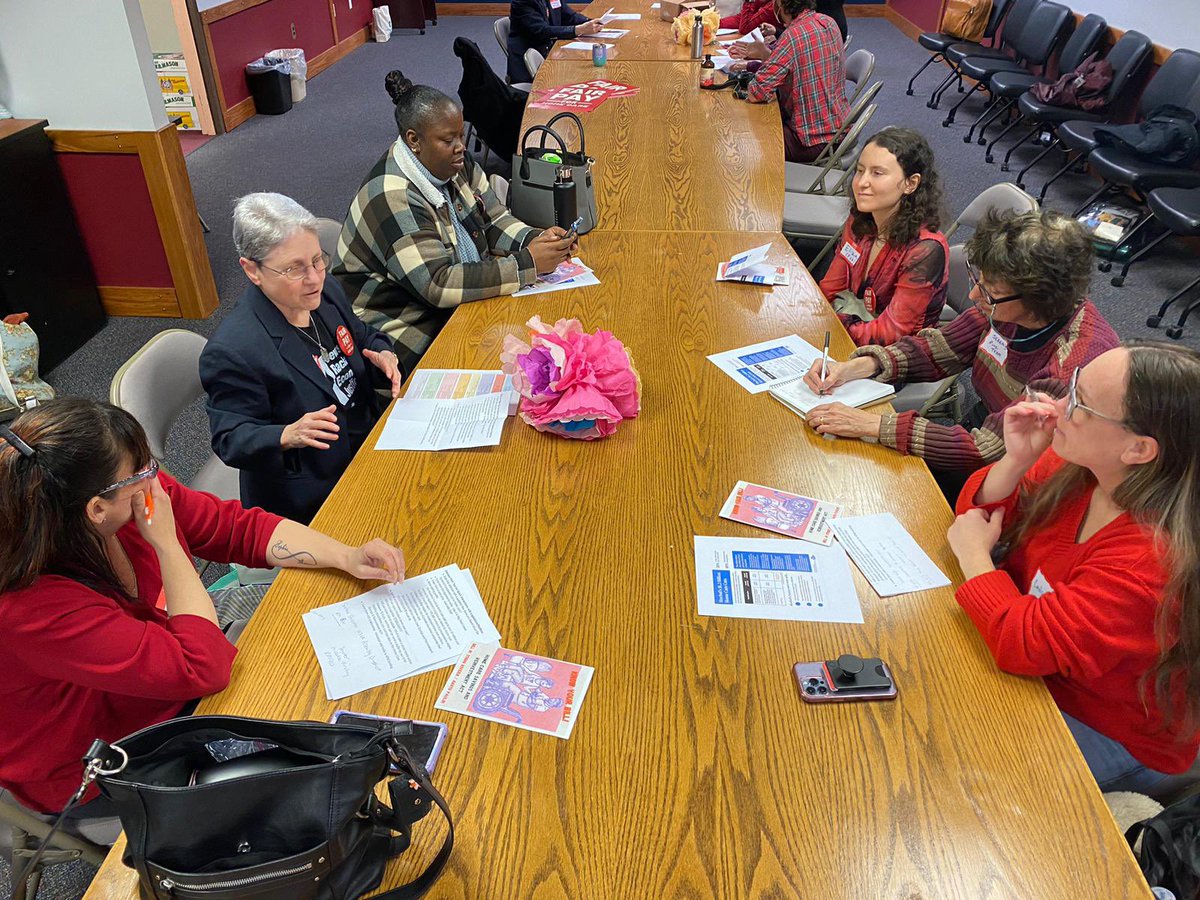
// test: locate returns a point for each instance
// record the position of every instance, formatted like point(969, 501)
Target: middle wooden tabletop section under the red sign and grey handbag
point(675, 158)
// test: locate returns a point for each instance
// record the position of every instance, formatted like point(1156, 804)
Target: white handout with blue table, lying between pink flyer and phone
point(763, 579)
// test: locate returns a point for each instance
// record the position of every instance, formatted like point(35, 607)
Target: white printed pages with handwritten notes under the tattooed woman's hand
point(398, 631)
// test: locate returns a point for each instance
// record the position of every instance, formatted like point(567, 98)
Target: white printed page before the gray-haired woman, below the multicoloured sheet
point(446, 424)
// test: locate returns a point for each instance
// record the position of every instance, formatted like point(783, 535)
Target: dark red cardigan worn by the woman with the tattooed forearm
point(80, 665)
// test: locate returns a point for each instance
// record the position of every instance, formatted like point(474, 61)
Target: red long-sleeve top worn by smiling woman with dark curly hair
point(905, 289)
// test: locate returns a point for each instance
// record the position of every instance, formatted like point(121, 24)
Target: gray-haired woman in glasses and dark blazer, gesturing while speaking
point(291, 373)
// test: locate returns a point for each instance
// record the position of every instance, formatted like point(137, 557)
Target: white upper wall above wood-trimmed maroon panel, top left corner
point(80, 65)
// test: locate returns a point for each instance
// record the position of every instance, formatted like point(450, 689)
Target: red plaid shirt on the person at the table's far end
point(808, 65)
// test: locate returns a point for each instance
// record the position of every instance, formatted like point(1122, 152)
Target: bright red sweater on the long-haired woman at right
point(1091, 634)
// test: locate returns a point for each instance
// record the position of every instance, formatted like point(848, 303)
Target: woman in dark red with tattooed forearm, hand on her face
point(92, 535)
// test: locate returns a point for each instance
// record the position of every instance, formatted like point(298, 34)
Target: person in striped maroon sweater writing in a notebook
point(1030, 326)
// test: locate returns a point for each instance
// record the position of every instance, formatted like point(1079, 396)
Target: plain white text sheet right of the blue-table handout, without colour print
point(887, 555)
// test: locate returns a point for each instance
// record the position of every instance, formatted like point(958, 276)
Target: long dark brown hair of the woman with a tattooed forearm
point(79, 449)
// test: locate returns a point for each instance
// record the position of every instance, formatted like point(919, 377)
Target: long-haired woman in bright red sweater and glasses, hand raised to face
point(1094, 515)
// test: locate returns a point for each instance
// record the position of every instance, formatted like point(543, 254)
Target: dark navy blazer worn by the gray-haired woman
point(261, 376)
